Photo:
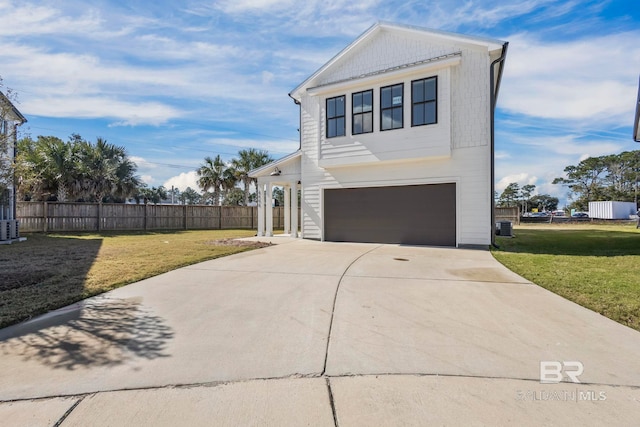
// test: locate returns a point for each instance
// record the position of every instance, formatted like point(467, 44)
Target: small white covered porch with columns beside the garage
point(283, 173)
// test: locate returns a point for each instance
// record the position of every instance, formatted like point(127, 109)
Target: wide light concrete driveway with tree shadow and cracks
point(310, 333)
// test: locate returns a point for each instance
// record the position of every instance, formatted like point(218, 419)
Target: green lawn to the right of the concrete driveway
point(596, 266)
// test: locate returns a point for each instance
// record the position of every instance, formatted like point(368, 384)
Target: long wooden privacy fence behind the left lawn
point(58, 216)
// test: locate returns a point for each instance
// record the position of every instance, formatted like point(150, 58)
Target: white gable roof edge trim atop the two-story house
point(490, 44)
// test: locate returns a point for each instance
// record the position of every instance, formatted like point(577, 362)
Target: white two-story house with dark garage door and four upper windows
point(396, 142)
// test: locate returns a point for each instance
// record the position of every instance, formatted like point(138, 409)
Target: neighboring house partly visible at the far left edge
point(10, 119)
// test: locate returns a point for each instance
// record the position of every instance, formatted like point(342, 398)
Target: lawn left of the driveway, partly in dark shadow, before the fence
point(50, 271)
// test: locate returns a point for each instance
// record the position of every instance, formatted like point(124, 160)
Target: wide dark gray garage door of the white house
point(414, 215)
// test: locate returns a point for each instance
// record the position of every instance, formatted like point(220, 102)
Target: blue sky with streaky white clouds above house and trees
point(174, 82)
